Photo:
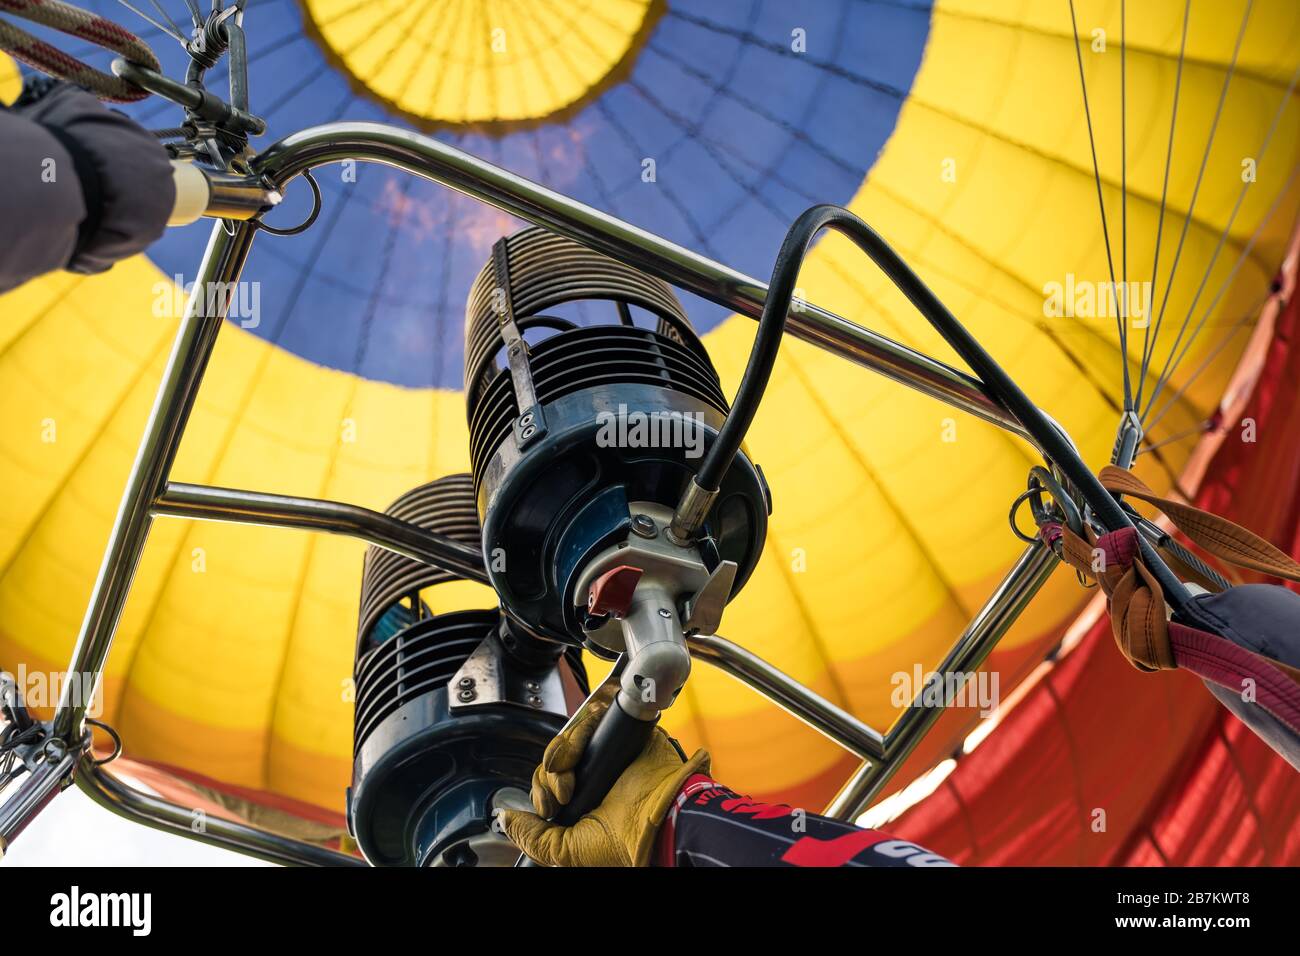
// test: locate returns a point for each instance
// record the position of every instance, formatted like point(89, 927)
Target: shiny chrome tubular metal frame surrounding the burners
point(150, 494)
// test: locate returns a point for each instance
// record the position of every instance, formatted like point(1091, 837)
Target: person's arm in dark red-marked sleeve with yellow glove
point(668, 811)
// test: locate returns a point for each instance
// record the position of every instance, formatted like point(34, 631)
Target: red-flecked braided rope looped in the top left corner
point(83, 24)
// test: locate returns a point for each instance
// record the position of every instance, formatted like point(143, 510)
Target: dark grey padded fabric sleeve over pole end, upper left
point(81, 185)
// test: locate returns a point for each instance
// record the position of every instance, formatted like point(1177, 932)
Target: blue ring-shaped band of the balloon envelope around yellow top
point(744, 132)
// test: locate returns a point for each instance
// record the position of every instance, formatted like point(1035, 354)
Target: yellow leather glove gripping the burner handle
point(622, 830)
